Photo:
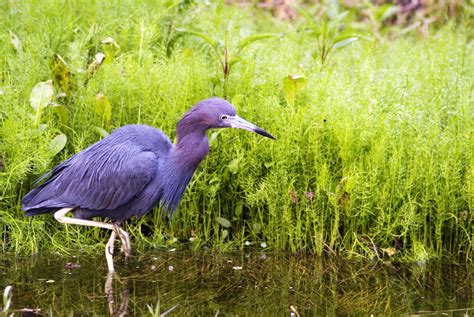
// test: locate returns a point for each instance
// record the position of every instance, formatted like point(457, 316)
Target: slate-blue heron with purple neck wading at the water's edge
point(130, 172)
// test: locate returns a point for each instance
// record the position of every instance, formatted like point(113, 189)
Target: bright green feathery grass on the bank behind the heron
point(382, 134)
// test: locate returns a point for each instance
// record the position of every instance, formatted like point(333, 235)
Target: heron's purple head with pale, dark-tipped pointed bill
point(219, 113)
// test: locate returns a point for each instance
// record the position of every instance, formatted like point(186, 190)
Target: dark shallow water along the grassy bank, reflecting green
point(237, 284)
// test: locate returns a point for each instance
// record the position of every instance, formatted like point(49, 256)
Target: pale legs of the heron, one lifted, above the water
point(60, 216)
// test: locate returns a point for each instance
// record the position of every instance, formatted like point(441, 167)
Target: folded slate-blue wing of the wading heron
point(102, 177)
